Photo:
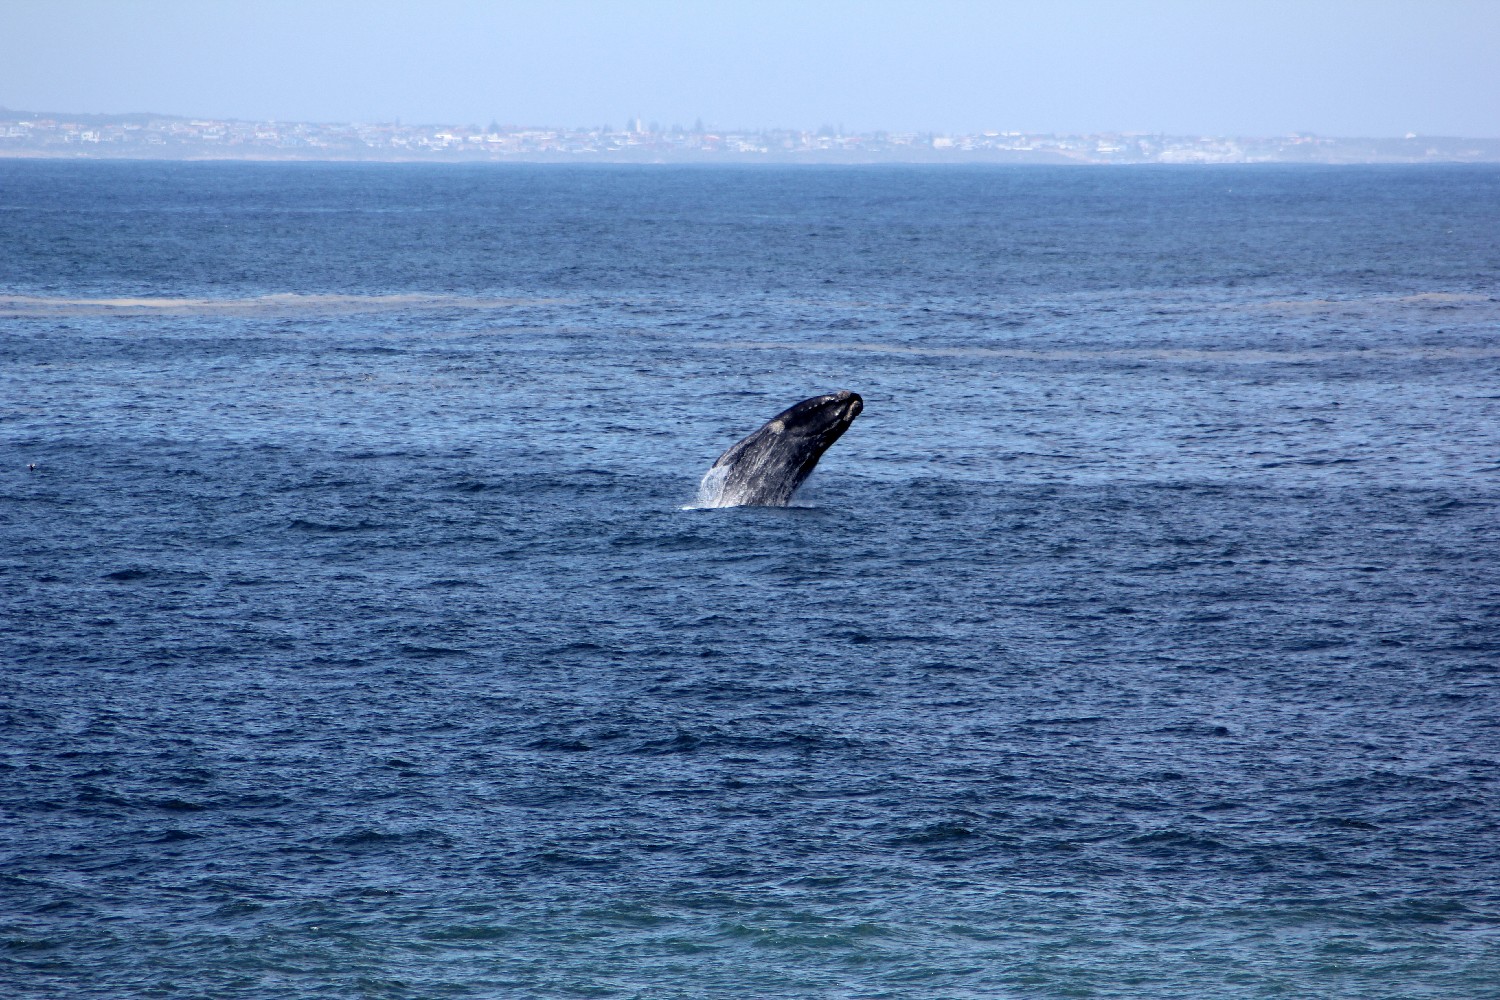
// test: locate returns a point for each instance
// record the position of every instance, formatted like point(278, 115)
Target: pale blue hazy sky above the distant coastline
point(1178, 67)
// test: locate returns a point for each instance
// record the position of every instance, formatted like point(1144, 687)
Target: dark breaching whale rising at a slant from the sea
point(766, 469)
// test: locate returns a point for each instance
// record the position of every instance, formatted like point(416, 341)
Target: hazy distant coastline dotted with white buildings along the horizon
point(637, 142)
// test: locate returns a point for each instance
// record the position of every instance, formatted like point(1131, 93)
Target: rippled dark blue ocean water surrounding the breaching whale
point(359, 639)
